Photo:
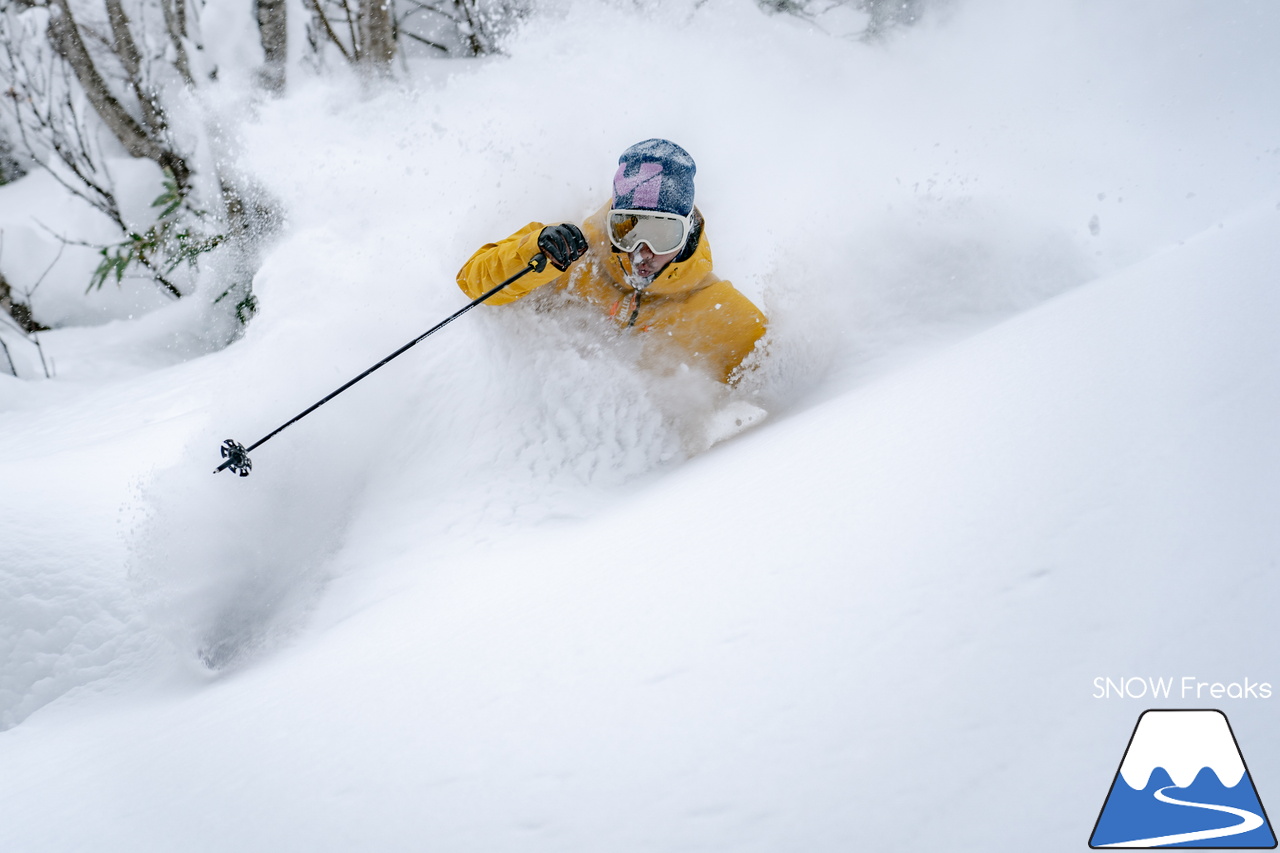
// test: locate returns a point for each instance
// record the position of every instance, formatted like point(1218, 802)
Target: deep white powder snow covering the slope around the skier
point(1023, 387)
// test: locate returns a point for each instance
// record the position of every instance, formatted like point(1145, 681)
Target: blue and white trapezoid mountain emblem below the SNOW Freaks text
point(1183, 783)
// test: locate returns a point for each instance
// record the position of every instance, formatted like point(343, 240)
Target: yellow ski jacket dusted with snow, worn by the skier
point(687, 307)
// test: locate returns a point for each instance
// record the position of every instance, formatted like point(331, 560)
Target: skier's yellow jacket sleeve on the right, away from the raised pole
point(719, 327)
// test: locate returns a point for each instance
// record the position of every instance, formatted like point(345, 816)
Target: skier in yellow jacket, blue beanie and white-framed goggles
point(647, 264)
